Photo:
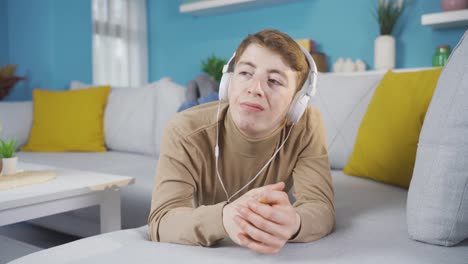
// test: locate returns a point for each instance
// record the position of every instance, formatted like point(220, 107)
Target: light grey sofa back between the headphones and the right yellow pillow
point(343, 101)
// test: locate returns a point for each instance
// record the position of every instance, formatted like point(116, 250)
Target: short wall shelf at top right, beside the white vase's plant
point(449, 19)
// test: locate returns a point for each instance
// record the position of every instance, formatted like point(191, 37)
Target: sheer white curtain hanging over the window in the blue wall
point(120, 47)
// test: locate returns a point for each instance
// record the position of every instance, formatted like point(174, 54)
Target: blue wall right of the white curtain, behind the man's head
point(179, 42)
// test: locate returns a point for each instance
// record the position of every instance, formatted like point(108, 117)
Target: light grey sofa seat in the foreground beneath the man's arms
point(370, 228)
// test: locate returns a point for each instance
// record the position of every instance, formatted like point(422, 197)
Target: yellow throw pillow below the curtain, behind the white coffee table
point(68, 120)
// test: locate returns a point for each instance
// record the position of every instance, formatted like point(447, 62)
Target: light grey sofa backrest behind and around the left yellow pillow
point(134, 118)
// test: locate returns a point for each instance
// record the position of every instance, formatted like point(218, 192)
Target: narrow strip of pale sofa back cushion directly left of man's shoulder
point(169, 96)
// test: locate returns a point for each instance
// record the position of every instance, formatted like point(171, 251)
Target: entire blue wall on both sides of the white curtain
point(50, 40)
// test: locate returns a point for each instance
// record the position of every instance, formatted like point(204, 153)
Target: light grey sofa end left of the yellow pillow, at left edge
point(16, 120)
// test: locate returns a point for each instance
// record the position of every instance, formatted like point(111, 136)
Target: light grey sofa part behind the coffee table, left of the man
point(133, 122)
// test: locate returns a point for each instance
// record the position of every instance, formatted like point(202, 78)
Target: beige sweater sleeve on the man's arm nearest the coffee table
point(173, 217)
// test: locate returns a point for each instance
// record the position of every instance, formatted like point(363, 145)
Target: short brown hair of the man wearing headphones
point(283, 45)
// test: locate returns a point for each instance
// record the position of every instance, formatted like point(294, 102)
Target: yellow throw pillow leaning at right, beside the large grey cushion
point(385, 147)
